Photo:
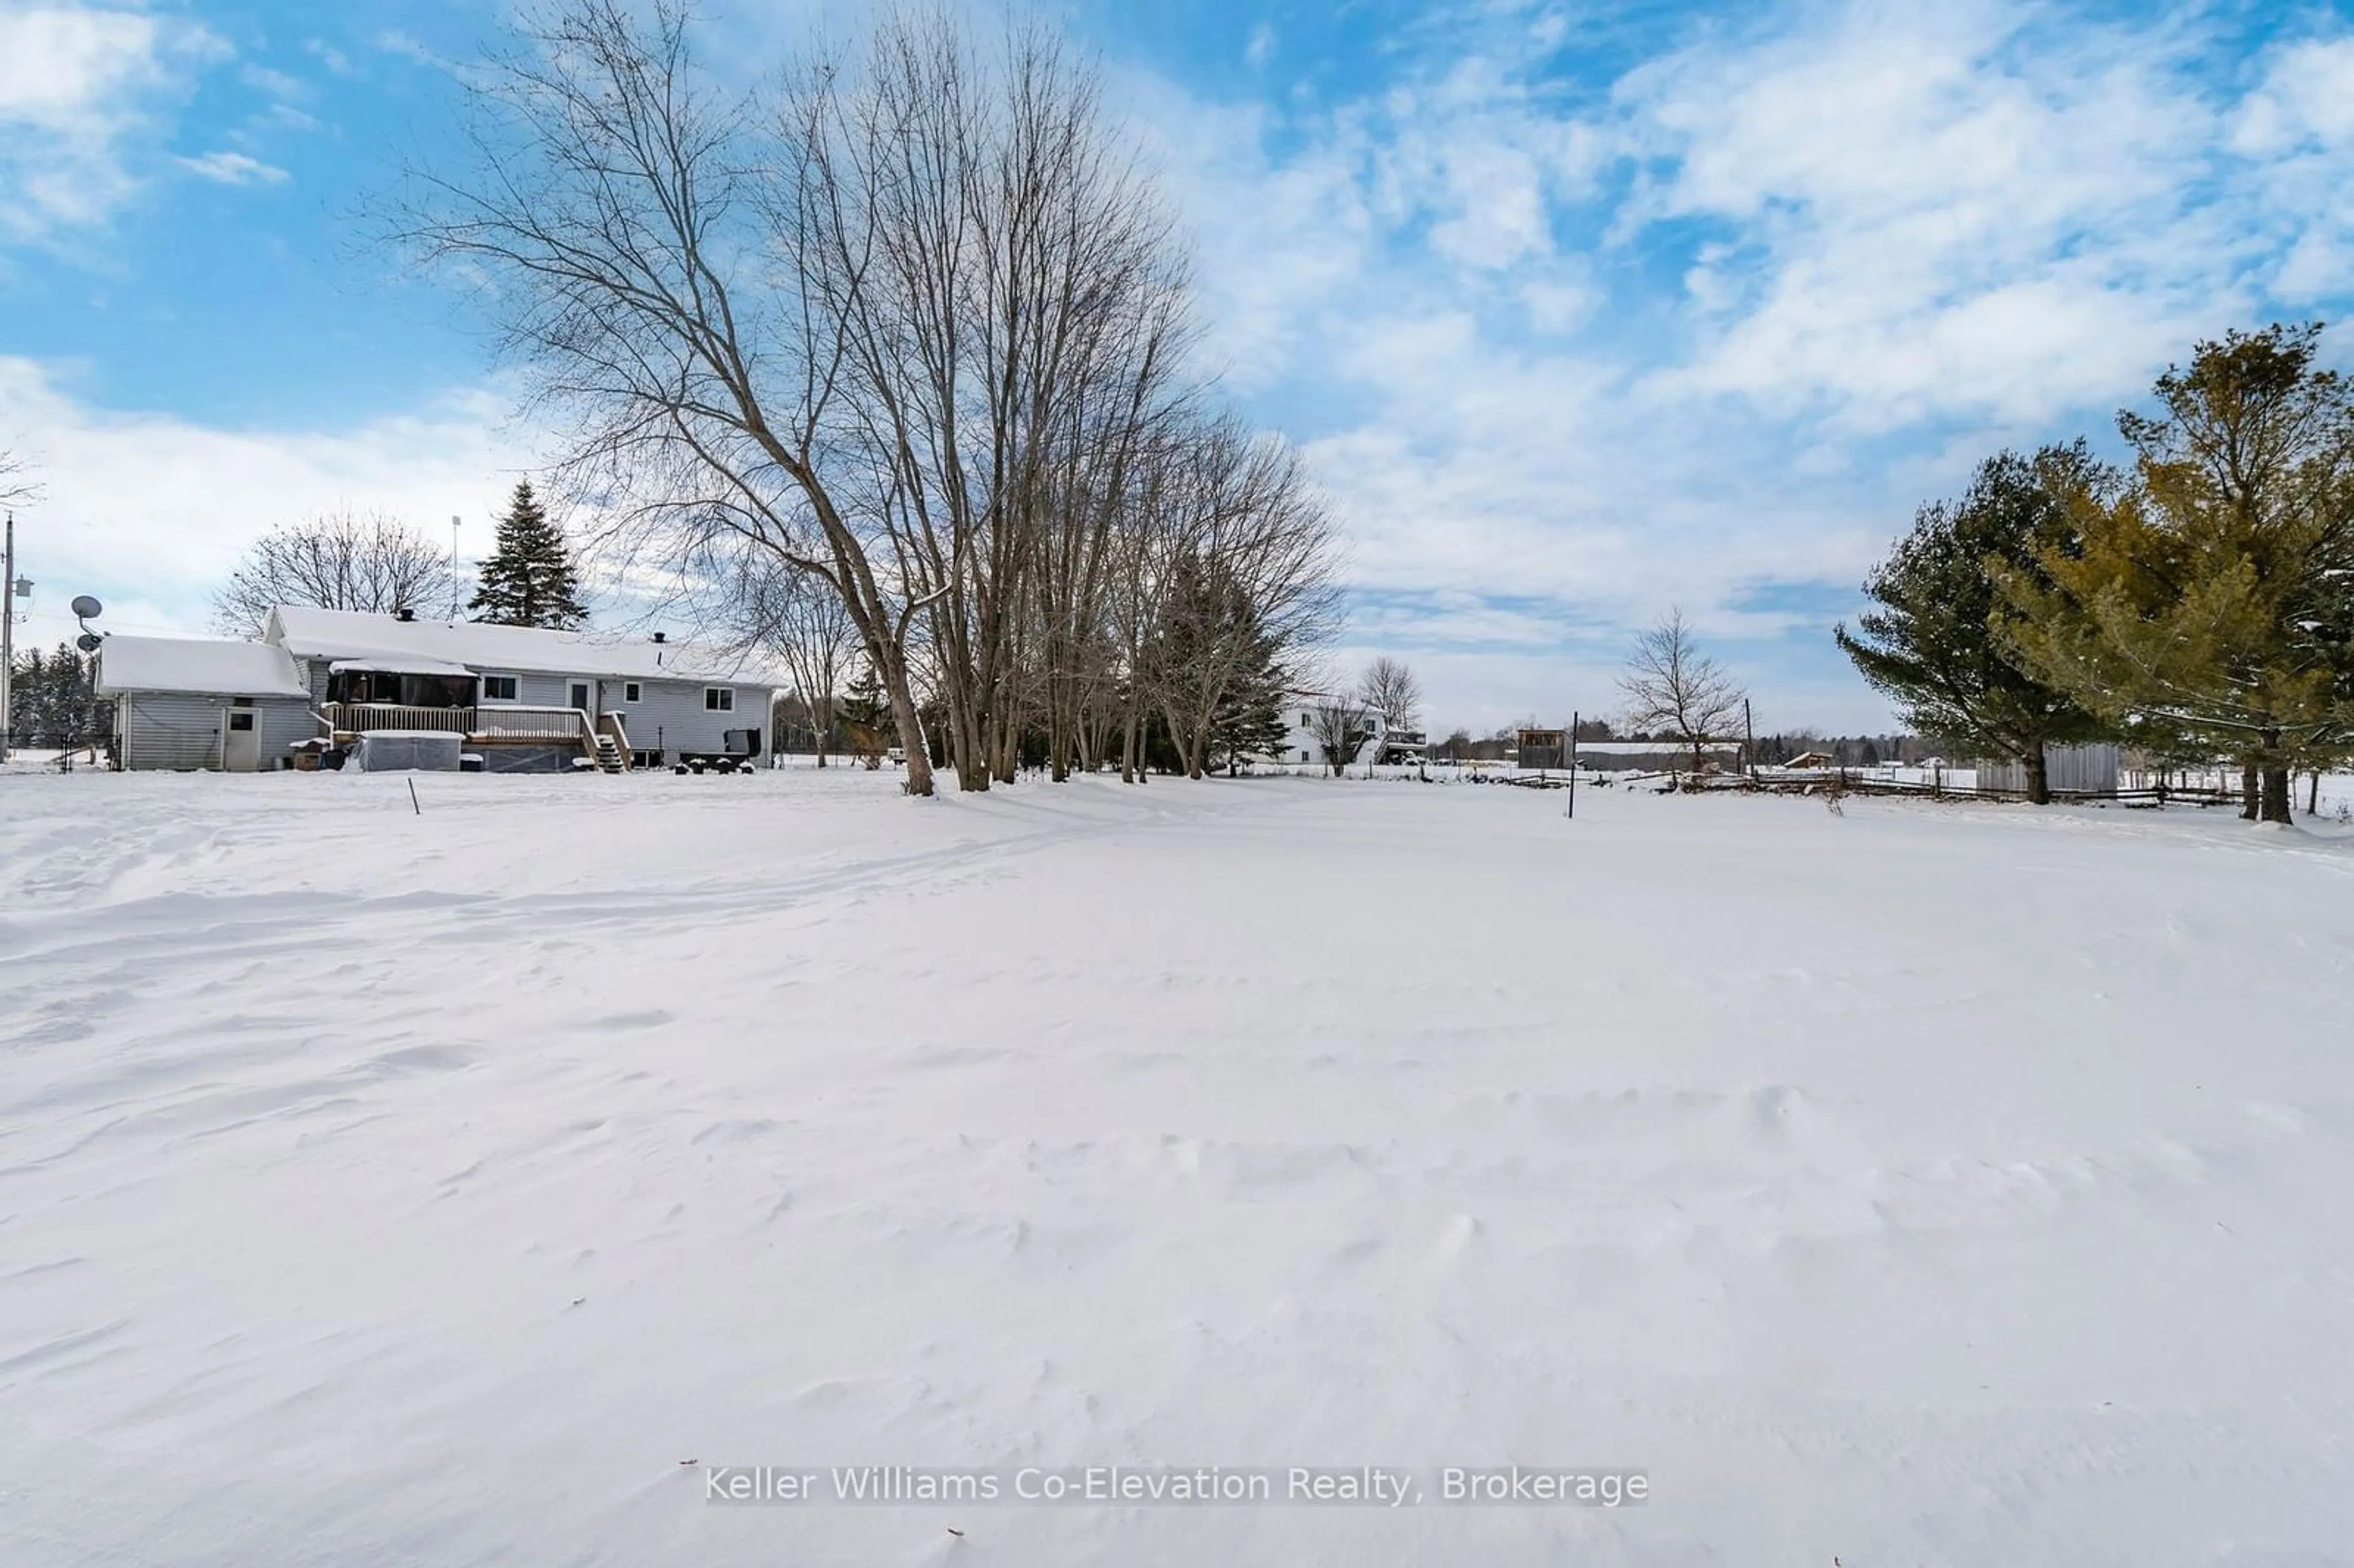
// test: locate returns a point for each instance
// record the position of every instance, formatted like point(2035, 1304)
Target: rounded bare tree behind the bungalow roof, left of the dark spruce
point(335, 562)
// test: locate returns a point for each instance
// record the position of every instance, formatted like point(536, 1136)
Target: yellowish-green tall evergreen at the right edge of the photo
point(2214, 602)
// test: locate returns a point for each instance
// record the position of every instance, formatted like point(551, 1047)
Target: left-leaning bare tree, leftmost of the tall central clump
point(660, 258)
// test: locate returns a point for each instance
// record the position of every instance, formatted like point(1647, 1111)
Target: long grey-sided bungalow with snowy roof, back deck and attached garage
point(524, 698)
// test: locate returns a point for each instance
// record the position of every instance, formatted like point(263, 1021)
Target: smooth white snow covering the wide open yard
point(1910, 1185)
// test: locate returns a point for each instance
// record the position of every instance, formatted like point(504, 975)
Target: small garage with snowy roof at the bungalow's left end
point(204, 703)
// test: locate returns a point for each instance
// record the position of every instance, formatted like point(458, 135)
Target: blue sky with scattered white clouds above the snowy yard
point(1581, 312)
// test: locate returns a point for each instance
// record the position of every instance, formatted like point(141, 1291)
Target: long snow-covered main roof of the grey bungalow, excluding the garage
point(354, 637)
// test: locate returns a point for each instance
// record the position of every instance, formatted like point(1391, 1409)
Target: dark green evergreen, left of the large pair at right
point(1936, 642)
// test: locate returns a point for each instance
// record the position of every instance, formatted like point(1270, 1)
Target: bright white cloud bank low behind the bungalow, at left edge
point(157, 510)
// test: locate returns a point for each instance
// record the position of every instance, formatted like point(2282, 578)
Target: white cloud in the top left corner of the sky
point(77, 86)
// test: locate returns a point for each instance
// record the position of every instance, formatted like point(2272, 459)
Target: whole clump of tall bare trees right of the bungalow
point(907, 326)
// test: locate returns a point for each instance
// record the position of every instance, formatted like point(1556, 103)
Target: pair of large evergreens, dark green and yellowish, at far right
point(2195, 606)
